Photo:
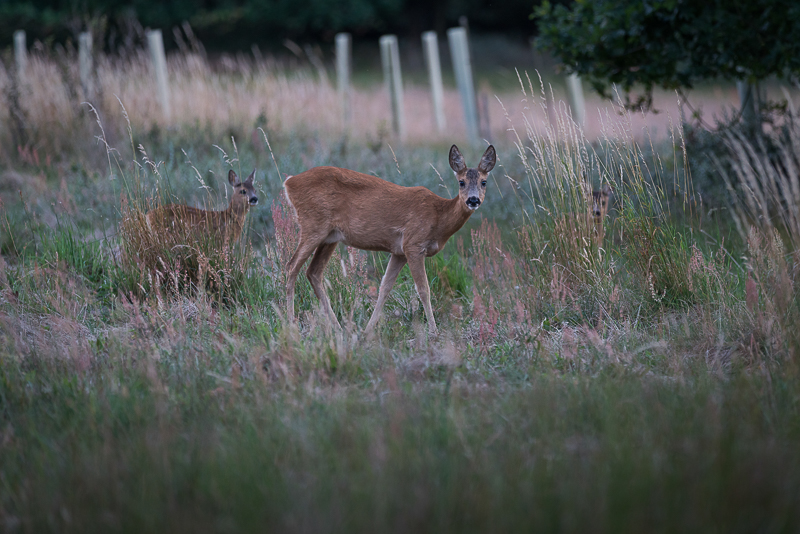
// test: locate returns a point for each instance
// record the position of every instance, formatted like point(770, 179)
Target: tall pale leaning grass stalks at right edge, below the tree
point(765, 197)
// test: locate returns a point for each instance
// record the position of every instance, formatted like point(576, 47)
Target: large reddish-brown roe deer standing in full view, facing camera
point(369, 213)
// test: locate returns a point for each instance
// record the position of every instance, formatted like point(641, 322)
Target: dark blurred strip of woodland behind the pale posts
point(236, 24)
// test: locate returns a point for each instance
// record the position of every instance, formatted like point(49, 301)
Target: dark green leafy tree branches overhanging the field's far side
point(672, 43)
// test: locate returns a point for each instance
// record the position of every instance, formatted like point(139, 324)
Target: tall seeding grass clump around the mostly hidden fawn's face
point(642, 250)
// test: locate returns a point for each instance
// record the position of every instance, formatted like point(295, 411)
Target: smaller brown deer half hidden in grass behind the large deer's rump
point(227, 224)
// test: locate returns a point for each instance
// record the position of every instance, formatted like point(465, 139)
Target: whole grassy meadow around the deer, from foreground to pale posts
point(642, 381)
